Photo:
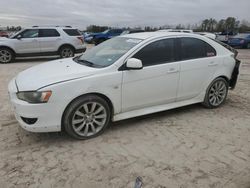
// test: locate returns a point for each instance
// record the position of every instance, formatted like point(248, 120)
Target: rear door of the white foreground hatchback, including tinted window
point(198, 64)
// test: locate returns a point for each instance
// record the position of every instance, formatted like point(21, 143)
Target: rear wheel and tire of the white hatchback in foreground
point(216, 97)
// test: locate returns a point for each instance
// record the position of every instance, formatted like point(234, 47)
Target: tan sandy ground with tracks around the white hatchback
point(186, 147)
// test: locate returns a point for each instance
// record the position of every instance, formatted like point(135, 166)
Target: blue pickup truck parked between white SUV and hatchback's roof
point(98, 38)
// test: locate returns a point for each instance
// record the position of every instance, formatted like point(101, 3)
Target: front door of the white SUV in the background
point(28, 43)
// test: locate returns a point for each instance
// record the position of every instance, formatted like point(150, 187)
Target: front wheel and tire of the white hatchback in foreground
point(77, 108)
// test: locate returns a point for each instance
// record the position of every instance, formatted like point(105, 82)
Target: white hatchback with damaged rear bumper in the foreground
point(127, 76)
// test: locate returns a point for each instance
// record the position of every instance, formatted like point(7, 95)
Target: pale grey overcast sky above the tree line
point(82, 13)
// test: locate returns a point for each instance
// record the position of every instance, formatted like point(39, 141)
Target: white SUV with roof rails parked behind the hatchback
point(39, 41)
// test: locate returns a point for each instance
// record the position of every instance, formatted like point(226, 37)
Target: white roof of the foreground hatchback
point(147, 35)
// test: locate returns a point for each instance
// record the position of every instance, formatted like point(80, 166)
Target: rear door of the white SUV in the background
point(49, 39)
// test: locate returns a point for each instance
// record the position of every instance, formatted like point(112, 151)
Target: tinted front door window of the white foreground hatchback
point(158, 52)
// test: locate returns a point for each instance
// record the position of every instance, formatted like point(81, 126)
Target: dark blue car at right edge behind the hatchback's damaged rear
point(241, 40)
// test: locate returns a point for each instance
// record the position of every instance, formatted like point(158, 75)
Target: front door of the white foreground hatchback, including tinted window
point(157, 82)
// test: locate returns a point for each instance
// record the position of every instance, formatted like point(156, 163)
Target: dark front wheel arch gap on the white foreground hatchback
point(107, 99)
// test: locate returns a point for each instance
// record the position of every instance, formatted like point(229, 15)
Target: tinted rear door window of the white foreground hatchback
point(192, 48)
